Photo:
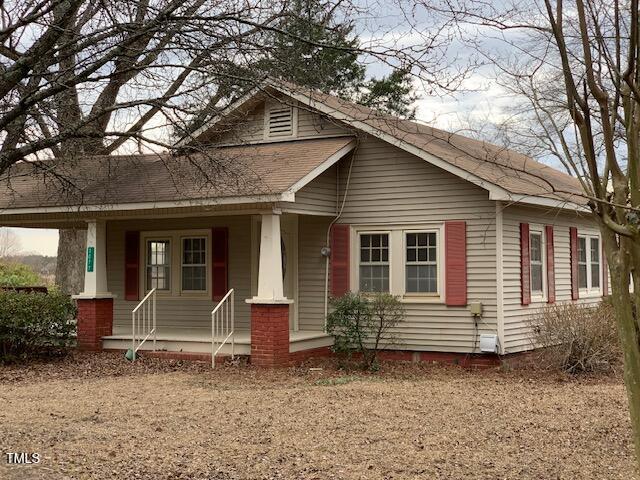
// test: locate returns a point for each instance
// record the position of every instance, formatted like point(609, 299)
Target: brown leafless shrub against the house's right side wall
point(576, 338)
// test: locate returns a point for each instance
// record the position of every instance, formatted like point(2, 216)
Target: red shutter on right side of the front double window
point(455, 237)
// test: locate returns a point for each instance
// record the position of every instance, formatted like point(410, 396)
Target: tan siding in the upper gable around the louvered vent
point(251, 127)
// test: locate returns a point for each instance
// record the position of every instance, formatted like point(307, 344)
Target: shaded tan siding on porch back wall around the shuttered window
point(178, 312)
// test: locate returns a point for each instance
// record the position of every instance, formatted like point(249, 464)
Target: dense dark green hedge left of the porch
point(35, 324)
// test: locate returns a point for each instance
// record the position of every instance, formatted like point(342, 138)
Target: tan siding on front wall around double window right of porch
point(391, 187)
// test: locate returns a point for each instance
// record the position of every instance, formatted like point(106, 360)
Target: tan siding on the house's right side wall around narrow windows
point(517, 316)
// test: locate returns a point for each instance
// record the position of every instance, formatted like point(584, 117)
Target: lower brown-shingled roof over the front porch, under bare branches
point(238, 174)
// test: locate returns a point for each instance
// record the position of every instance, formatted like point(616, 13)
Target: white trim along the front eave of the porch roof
point(283, 197)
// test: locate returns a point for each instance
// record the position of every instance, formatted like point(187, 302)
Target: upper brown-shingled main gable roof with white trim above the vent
point(506, 174)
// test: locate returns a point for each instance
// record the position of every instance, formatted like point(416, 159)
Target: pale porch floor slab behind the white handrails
point(199, 340)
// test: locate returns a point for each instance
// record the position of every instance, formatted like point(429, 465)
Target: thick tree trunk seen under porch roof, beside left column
point(70, 265)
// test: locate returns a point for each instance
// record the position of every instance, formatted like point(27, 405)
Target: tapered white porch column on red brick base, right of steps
point(269, 308)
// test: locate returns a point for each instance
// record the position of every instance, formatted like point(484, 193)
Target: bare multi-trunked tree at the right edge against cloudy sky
point(573, 68)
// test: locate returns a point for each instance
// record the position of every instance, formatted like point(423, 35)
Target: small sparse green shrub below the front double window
point(363, 324)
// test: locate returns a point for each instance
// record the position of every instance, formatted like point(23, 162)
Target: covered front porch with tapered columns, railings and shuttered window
point(173, 273)
